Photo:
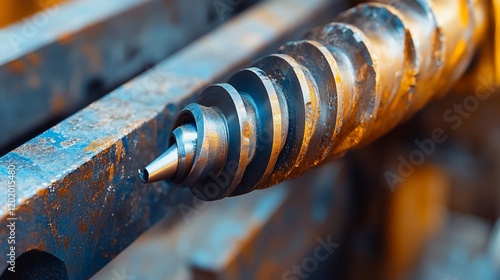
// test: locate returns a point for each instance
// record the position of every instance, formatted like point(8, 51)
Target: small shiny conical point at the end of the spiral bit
point(162, 168)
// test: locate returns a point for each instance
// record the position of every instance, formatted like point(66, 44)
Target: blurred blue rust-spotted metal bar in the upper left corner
point(66, 56)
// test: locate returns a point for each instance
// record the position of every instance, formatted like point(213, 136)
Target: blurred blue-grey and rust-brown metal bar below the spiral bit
point(247, 237)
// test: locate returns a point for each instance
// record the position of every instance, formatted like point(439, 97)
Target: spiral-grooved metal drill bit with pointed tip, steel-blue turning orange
point(344, 85)
